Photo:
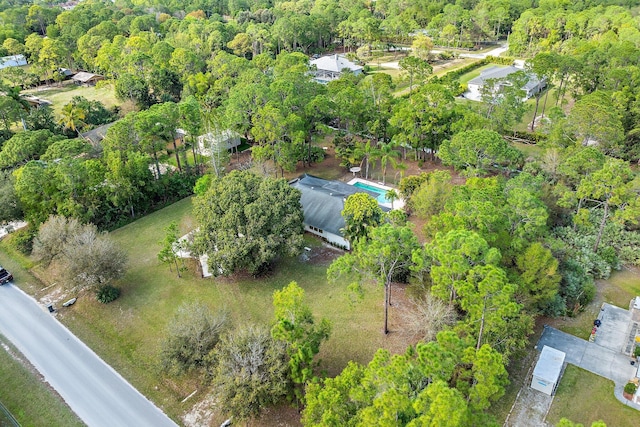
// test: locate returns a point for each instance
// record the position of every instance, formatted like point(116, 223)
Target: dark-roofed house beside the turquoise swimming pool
point(322, 203)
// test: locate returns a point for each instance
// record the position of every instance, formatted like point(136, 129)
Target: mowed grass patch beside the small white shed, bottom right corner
point(584, 397)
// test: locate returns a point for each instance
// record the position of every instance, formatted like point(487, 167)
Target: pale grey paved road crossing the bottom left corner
point(93, 390)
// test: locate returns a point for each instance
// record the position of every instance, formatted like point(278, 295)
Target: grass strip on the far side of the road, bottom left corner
point(27, 397)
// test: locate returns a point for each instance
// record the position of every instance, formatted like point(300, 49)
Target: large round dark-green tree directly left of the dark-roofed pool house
point(247, 221)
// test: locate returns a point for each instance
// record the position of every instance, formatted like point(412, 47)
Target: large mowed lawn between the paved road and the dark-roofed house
point(128, 332)
